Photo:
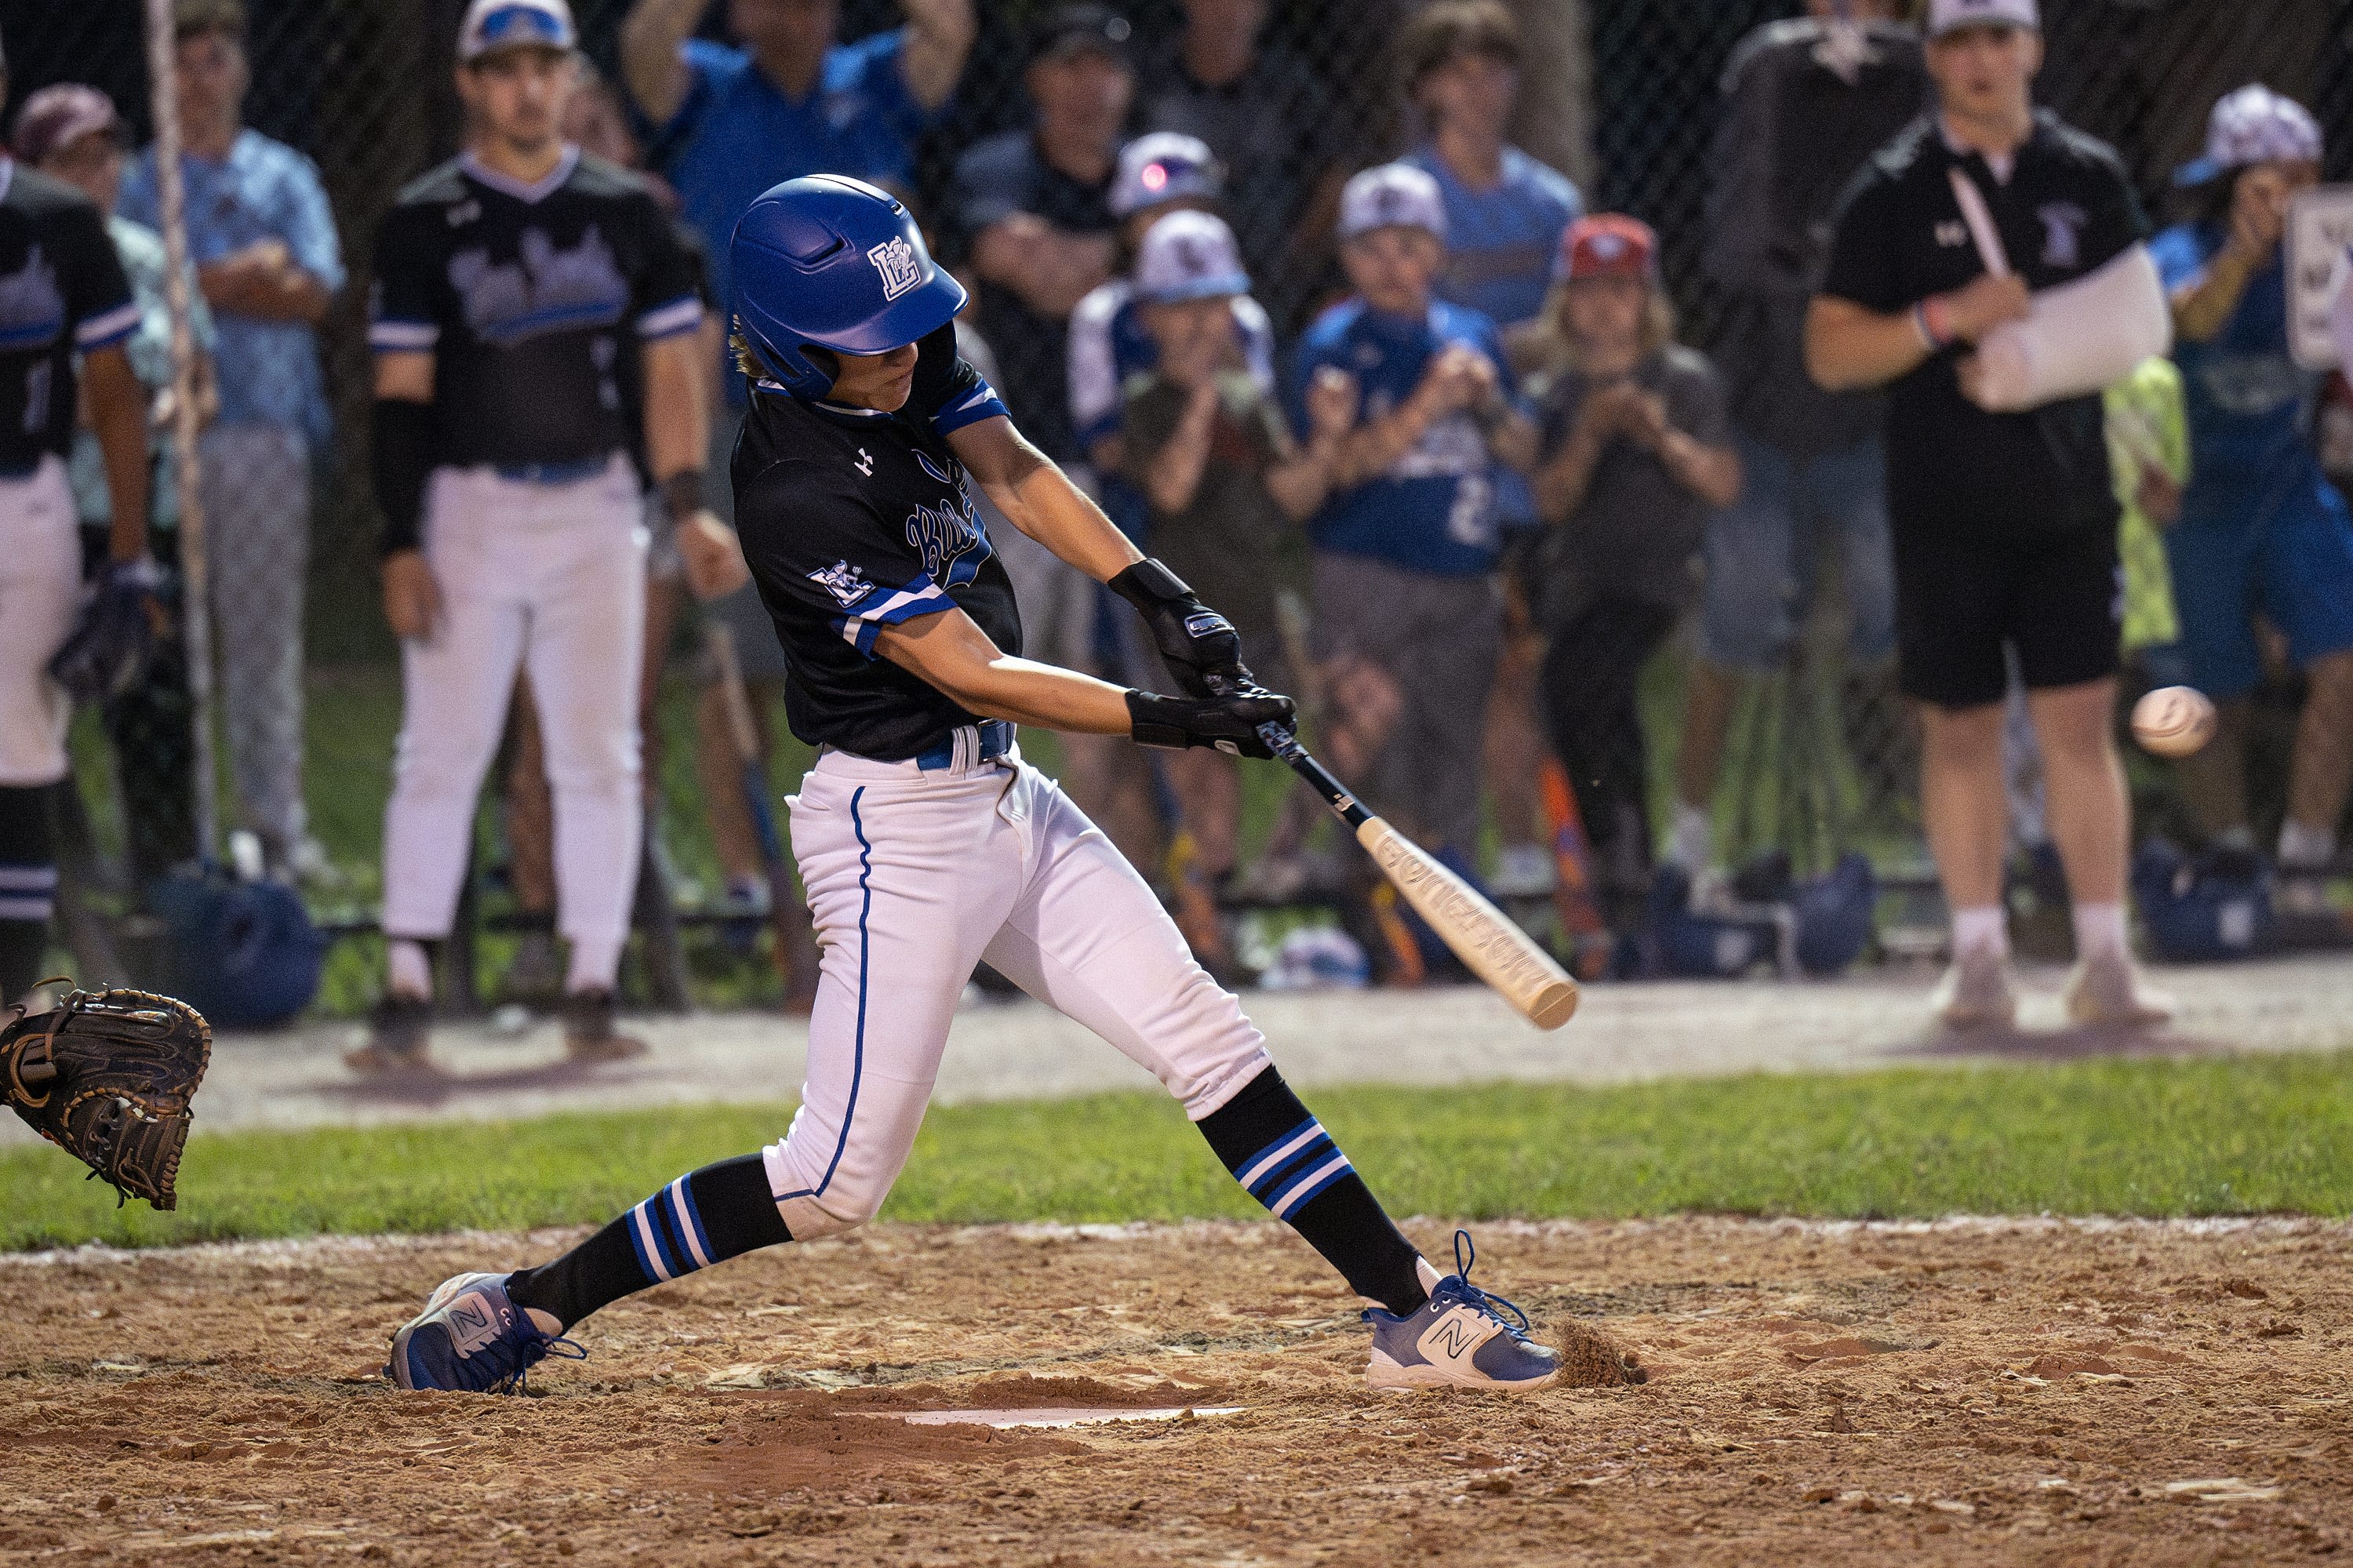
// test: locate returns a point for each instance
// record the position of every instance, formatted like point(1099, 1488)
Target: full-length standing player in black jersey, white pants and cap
point(533, 314)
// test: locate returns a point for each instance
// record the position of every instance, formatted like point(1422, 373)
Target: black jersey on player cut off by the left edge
point(62, 293)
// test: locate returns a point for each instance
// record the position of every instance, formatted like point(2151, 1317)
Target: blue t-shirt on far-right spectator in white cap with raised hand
point(2246, 394)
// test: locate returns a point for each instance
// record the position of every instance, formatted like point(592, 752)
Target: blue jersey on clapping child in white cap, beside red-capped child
point(1437, 507)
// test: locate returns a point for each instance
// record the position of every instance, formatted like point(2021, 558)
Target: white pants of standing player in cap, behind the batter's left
point(549, 578)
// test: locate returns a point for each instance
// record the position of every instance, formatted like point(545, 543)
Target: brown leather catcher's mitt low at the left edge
point(107, 1077)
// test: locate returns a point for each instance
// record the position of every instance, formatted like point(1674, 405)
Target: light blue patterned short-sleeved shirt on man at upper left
point(262, 192)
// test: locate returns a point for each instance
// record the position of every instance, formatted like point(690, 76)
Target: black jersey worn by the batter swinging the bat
point(855, 521)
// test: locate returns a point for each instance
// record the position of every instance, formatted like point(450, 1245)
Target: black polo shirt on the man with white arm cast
point(2065, 211)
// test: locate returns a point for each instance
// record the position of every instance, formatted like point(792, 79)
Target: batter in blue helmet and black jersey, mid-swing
point(928, 844)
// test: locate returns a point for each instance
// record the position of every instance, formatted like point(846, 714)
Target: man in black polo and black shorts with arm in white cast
point(2004, 526)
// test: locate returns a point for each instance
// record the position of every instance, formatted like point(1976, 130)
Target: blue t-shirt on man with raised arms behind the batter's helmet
point(735, 133)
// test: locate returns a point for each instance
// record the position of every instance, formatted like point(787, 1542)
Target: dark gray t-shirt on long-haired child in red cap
point(1637, 536)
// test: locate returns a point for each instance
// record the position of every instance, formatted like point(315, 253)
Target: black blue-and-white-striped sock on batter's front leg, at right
point(1286, 1160)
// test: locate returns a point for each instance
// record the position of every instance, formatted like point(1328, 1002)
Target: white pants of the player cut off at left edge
point(41, 587)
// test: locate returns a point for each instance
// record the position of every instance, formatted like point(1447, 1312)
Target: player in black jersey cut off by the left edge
point(62, 303)
